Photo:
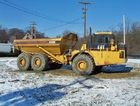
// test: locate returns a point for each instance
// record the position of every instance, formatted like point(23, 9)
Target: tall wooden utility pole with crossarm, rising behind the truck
point(84, 13)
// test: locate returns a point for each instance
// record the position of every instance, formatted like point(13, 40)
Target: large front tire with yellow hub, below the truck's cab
point(83, 64)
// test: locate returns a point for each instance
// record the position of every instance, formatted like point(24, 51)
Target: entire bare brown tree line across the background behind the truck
point(132, 35)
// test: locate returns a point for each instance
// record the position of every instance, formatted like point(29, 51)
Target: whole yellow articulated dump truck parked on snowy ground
point(40, 54)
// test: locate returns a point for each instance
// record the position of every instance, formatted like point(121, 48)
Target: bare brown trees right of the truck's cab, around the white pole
point(132, 36)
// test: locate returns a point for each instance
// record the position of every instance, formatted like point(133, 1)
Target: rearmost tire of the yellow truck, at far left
point(24, 61)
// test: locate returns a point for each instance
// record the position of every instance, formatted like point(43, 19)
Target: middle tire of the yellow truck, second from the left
point(39, 62)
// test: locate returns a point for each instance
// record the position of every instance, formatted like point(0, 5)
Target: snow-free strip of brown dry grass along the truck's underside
point(105, 75)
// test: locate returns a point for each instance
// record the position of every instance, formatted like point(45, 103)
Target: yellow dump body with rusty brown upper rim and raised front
point(56, 46)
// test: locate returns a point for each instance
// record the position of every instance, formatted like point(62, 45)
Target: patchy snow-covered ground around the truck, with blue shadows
point(31, 89)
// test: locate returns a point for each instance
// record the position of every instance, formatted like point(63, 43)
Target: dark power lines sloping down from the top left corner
point(15, 6)
